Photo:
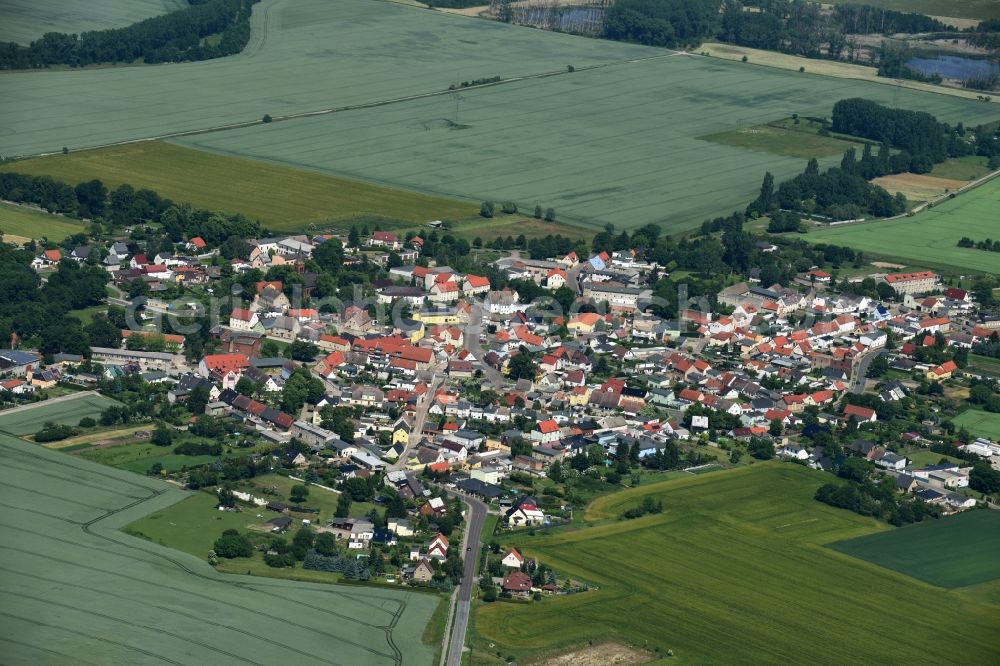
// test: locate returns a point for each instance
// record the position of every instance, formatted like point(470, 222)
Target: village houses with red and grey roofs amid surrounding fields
point(531, 388)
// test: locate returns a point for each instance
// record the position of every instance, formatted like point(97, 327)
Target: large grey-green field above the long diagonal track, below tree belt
point(303, 56)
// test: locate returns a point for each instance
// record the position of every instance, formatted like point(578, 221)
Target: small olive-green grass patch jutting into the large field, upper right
point(785, 138)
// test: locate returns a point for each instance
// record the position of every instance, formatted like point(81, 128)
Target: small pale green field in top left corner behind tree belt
point(27, 20)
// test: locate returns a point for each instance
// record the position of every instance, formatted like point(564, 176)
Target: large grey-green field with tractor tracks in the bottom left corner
point(78, 591)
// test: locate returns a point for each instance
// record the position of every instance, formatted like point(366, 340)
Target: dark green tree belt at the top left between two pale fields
point(174, 37)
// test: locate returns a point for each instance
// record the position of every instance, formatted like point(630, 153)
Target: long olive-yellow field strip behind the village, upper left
point(283, 198)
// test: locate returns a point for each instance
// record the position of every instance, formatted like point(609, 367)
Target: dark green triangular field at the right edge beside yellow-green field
point(959, 551)
